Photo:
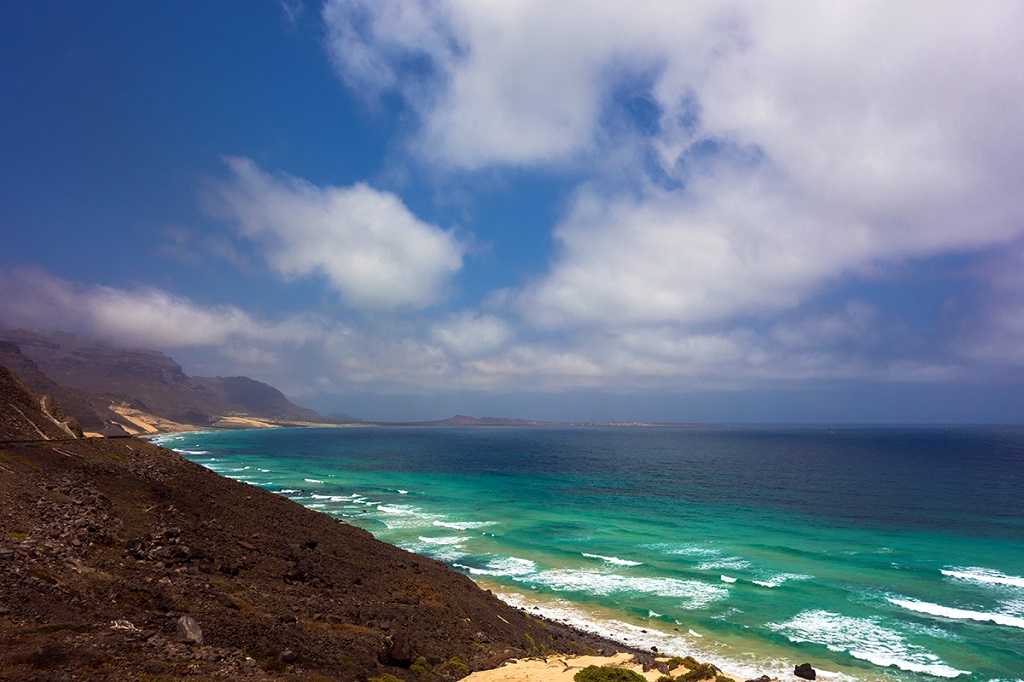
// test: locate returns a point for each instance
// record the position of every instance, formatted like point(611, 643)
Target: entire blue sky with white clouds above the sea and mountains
point(672, 211)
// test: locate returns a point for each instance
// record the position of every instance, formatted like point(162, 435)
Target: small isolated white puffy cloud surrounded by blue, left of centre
point(364, 242)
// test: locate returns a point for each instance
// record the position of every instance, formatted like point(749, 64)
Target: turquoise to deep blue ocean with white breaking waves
point(873, 553)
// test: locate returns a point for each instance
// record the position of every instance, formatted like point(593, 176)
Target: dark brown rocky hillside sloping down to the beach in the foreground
point(121, 561)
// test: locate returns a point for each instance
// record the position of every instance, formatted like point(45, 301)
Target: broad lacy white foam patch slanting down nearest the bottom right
point(866, 640)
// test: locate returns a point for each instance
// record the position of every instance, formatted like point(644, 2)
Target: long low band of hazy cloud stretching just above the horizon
point(309, 354)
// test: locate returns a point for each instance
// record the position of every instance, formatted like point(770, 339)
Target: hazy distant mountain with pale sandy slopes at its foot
point(113, 390)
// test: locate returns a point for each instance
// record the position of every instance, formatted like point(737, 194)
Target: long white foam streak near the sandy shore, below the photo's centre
point(695, 594)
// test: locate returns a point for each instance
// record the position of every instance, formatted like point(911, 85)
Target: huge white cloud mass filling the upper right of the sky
point(784, 146)
